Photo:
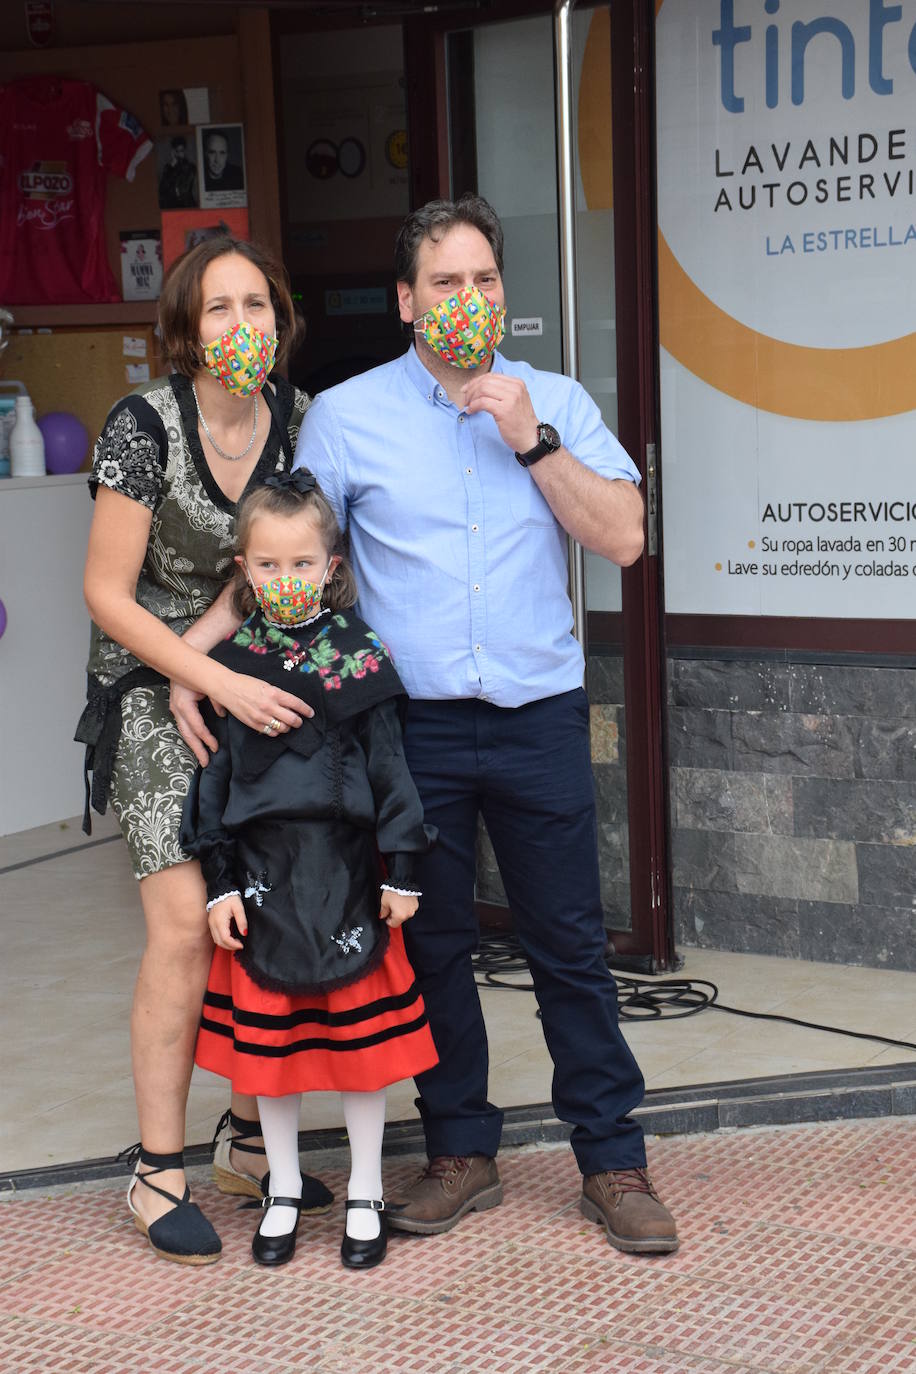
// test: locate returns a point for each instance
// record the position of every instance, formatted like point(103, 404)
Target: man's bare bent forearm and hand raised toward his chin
point(604, 515)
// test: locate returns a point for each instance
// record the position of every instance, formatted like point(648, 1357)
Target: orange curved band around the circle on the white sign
point(815, 384)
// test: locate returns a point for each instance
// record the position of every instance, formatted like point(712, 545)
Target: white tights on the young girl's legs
point(365, 1116)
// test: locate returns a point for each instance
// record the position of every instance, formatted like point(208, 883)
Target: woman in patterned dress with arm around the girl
point(168, 472)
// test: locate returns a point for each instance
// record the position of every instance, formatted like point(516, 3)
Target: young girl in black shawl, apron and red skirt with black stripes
point(310, 987)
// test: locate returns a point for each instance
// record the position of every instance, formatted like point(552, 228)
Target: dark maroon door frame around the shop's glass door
point(639, 629)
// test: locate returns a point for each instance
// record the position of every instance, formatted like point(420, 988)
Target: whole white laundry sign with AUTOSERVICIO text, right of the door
point(788, 302)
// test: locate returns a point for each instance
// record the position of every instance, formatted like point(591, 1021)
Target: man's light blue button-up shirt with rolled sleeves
point(459, 560)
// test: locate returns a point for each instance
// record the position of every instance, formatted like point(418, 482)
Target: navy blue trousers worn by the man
point(529, 773)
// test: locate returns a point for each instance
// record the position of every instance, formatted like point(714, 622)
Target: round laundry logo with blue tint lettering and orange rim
point(788, 201)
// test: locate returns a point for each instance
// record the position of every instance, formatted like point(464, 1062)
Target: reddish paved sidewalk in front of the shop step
point(799, 1255)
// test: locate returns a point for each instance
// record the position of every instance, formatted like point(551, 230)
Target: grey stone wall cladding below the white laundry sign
point(793, 793)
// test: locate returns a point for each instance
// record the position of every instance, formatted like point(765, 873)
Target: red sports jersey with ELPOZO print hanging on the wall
point(58, 141)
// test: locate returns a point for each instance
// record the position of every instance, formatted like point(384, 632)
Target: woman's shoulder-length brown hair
point(181, 303)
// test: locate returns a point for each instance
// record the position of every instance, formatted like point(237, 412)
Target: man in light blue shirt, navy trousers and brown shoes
point(459, 475)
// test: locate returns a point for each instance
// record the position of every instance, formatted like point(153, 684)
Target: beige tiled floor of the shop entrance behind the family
point(72, 934)
